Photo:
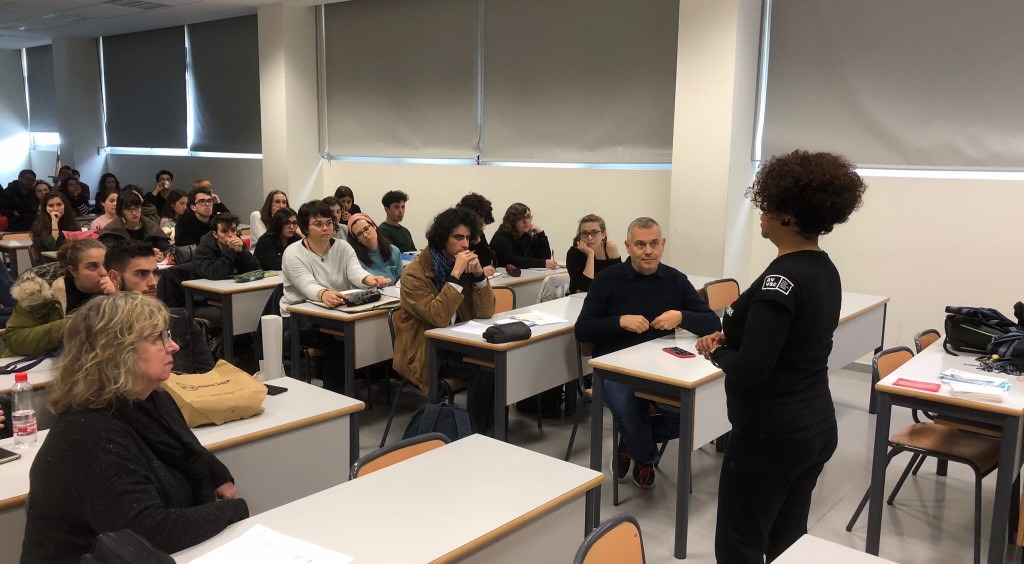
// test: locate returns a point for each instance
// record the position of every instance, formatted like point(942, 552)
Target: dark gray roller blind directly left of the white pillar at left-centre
point(226, 85)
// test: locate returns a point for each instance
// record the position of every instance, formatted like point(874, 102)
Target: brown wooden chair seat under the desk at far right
point(944, 441)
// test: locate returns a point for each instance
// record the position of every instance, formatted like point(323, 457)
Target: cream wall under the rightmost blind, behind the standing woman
point(928, 244)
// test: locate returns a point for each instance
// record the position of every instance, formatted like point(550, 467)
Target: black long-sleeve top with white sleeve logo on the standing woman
point(779, 338)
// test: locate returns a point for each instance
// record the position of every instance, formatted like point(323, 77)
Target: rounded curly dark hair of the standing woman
point(819, 190)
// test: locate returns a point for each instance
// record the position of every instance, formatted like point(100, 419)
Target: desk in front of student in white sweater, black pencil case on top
point(366, 338)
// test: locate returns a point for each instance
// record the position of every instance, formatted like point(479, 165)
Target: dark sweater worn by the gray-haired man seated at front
point(620, 290)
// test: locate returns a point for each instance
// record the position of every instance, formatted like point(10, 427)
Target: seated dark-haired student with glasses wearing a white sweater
point(319, 269)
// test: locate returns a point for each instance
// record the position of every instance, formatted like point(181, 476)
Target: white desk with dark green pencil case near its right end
point(241, 305)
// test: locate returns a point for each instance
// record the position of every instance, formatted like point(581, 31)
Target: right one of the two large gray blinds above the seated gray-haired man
point(587, 81)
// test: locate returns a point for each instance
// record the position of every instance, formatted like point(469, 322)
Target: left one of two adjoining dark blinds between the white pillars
point(145, 82)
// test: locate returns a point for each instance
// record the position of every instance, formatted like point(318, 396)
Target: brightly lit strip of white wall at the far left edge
point(14, 117)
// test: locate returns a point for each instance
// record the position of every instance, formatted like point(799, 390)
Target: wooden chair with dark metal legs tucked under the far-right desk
point(980, 454)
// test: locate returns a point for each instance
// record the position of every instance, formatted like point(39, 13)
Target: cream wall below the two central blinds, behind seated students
point(559, 198)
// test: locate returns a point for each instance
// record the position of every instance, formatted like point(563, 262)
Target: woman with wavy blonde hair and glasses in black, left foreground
point(120, 455)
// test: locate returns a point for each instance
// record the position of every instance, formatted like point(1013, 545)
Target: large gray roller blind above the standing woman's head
point(914, 83)
